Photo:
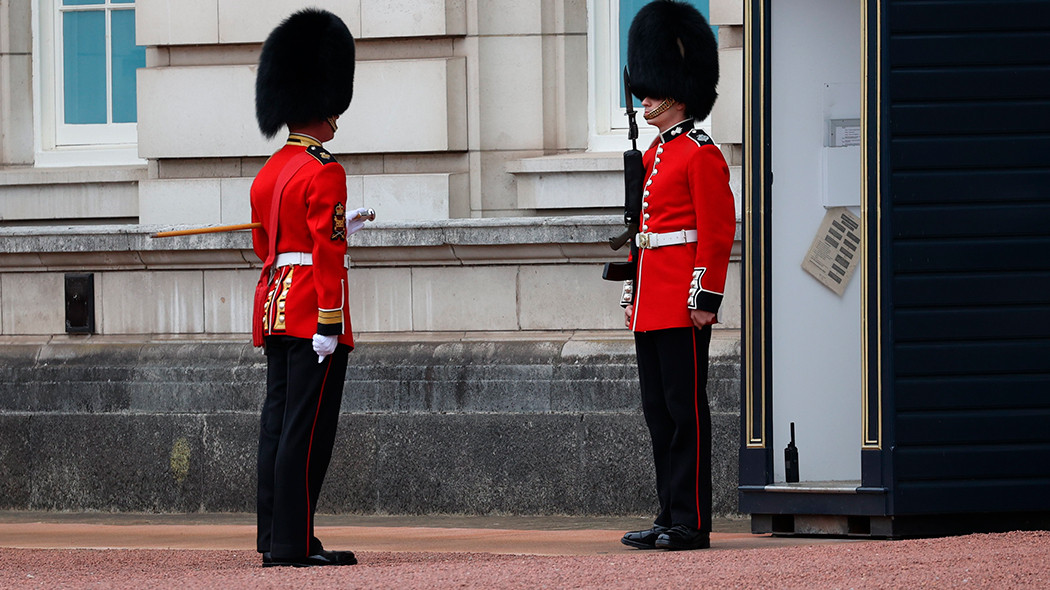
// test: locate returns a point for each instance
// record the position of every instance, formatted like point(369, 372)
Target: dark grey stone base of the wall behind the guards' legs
point(430, 425)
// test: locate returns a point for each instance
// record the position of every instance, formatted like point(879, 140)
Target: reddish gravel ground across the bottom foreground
point(1015, 560)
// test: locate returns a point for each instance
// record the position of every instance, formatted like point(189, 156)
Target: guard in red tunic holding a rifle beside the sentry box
point(685, 240)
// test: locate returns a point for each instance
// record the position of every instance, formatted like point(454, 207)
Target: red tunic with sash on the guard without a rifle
point(306, 300)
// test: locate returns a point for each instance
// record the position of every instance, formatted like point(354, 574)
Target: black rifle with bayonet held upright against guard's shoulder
point(635, 173)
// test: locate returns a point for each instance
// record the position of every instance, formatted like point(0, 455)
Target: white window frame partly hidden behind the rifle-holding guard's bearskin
point(608, 120)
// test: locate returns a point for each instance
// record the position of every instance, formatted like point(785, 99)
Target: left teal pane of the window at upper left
point(85, 67)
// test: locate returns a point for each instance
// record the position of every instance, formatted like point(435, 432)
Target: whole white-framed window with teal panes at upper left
point(87, 64)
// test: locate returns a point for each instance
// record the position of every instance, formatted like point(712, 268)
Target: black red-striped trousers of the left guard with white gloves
point(297, 434)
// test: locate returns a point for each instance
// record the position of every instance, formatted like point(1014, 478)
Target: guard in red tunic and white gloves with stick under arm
point(302, 318)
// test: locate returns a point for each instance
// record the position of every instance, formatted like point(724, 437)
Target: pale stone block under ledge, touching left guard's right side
point(381, 300)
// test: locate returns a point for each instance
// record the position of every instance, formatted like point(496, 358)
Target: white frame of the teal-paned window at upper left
point(58, 143)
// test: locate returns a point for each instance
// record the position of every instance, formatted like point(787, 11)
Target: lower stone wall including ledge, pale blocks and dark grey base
point(492, 374)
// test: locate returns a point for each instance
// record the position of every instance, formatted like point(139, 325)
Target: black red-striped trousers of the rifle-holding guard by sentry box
point(674, 372)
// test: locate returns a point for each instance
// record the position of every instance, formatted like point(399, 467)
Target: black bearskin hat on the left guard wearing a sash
point(306, 72)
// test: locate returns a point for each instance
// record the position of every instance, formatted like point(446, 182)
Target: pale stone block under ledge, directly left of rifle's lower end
point(569, 298)
